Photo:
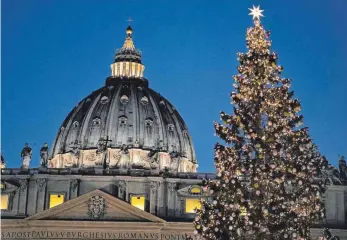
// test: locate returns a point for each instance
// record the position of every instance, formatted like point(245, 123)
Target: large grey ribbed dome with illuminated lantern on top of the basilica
point(124, 124)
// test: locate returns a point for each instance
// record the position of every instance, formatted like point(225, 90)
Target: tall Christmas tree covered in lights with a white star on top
point(267, 186)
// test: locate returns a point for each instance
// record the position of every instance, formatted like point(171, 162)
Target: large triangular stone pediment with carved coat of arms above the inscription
point(96, 206)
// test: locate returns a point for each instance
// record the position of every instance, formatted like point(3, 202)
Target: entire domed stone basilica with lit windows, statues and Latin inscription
point(122, 166)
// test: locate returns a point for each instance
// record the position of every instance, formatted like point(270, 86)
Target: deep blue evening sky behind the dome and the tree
point(54, 53)
